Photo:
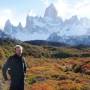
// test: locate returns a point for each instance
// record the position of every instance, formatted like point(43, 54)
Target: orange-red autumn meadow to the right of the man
point(58, 74)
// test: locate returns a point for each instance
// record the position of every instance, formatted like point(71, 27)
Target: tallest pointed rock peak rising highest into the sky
point(51, 11)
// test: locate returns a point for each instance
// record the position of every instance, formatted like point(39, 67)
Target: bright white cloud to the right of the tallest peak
point(66, 10)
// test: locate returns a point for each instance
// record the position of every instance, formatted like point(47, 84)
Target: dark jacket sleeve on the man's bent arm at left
point(5, 68)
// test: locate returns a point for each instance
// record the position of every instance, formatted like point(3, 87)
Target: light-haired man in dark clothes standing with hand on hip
point(14, 69)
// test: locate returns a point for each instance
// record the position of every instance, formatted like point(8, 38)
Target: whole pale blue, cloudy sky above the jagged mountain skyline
point(17, 10)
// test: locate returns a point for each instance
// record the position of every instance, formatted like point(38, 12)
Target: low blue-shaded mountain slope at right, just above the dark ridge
point(71, 40)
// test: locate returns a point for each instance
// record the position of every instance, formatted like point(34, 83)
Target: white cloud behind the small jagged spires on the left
point(13, 16)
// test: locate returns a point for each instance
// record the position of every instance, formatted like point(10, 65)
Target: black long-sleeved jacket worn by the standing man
point(16, 67)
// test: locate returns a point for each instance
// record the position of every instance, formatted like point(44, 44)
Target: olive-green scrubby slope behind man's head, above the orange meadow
point(7, 48)
